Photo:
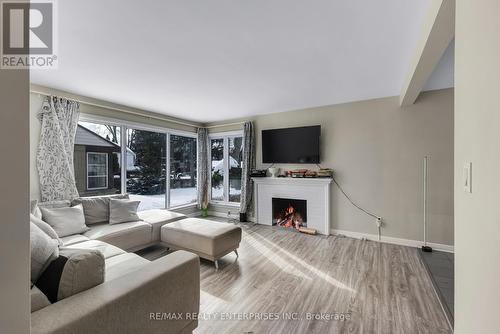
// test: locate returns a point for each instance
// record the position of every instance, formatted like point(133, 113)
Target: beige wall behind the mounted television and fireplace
point(376, 149)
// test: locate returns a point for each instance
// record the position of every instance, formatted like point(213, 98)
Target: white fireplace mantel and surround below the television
point(316, 191)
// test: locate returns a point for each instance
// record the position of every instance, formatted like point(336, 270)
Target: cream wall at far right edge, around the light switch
point(477, 140)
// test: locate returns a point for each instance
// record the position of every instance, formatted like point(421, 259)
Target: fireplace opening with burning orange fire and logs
point(290, 213)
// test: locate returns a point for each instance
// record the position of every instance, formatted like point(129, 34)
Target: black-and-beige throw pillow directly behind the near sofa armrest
point(74, 271)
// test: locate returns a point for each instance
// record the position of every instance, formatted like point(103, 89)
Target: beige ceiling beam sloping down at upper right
point(437, 33)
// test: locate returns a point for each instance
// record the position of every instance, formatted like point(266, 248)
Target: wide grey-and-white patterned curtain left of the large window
point(54, 160)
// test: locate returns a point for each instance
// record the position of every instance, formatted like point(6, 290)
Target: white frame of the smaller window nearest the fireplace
point(225, 137)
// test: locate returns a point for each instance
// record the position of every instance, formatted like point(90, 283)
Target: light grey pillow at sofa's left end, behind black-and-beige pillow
point(43, 251)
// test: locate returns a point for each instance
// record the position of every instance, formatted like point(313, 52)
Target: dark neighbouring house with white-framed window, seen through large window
point(97, 164)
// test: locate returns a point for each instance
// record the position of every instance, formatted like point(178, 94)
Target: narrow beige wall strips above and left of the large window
point(145, 118)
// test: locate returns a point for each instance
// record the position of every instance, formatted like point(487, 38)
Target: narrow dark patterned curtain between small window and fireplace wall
point(248, 165)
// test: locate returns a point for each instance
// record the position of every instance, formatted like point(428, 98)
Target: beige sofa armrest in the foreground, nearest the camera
point(131, 303)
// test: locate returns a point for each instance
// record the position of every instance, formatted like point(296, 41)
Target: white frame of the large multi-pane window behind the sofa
point(124, 126)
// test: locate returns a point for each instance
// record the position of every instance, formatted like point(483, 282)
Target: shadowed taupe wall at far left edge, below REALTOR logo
point(14, 202)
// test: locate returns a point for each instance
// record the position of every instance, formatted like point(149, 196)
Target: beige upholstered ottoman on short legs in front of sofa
point(210, 240)
